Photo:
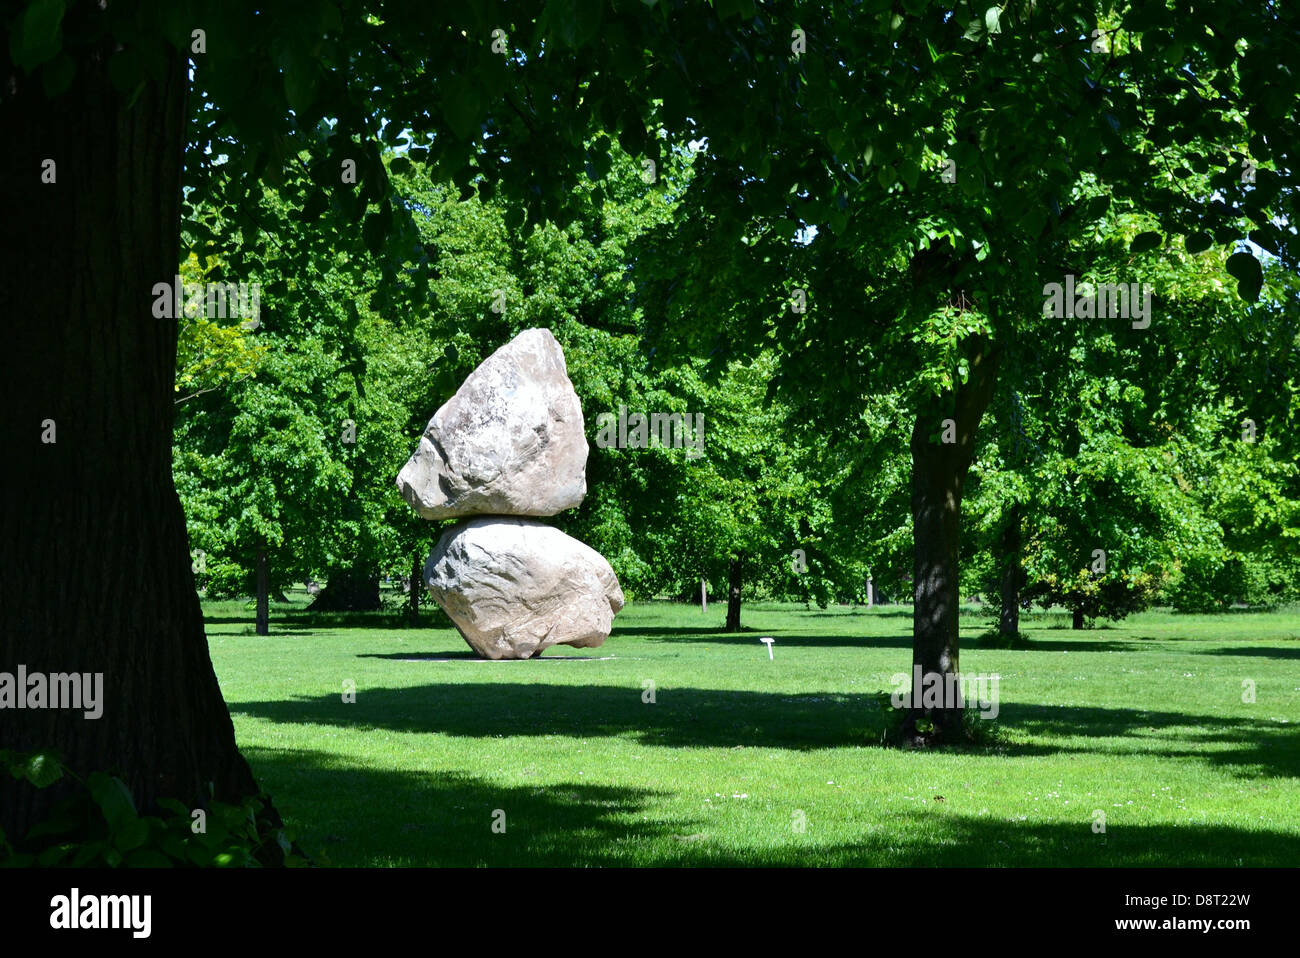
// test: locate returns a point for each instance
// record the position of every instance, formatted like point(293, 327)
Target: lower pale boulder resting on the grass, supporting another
point(515, 587)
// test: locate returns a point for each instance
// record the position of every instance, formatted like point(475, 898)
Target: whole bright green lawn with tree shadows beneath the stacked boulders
point(1143, 722)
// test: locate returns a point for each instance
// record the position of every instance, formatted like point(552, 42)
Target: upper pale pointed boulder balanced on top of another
point(509, 443)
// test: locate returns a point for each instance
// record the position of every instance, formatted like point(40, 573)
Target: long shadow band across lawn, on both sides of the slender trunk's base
point(726, 719)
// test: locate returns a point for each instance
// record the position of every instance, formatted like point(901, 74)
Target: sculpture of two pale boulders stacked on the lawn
point(508, 448)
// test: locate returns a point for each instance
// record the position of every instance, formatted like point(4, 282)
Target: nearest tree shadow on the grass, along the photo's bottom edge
point(445, 820)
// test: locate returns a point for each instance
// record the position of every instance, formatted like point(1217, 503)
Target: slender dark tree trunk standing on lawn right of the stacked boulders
point(938, 474)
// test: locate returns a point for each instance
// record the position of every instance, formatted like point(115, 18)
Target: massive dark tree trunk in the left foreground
point(96, 574)
